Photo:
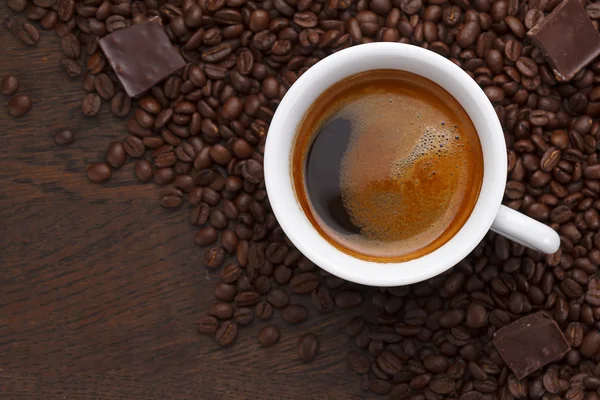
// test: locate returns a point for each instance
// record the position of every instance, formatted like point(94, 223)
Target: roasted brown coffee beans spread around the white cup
point(200, 135)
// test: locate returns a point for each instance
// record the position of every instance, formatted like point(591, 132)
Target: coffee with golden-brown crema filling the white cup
point(411, 170)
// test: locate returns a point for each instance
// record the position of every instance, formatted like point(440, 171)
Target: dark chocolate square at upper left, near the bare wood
point(141, 56)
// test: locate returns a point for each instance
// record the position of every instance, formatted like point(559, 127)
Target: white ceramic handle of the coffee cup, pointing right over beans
point(525, 230)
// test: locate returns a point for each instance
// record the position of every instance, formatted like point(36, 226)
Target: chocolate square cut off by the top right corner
point(567, 38)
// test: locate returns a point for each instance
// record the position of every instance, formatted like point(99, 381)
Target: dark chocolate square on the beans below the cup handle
point(529, 343)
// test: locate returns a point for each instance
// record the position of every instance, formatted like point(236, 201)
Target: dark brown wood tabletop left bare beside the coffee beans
point(100, 288)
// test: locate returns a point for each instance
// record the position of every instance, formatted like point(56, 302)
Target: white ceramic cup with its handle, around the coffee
point(487, 214)
